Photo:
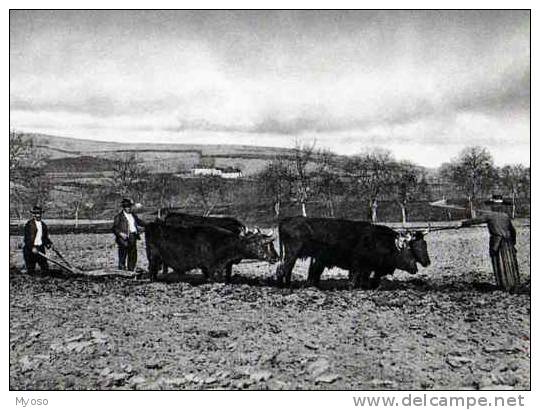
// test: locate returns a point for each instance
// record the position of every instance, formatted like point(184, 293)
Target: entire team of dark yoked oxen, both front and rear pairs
point(214, 244)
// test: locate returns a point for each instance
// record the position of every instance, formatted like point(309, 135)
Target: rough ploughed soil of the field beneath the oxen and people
point(444, 328)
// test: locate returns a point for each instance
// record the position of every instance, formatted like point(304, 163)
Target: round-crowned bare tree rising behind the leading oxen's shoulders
point(372, 174)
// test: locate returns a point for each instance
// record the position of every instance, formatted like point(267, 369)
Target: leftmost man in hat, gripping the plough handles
point(36, 239)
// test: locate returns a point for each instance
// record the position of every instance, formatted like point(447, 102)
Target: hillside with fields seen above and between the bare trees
point(77, 168)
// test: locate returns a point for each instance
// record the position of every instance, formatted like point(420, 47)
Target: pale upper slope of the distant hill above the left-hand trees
point(95, 156)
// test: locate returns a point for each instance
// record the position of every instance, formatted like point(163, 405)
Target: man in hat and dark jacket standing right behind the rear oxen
point(126, 228)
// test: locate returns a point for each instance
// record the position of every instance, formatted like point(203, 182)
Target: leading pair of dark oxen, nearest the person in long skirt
point(361, 248)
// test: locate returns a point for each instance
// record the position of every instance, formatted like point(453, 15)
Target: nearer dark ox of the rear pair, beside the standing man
point(206, 247)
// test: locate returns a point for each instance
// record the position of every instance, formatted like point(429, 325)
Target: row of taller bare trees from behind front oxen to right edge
point(375, 175)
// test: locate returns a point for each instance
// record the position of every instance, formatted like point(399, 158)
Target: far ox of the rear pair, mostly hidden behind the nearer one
point(231, 224)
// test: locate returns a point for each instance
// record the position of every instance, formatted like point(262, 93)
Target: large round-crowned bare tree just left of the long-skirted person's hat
point(473, 172)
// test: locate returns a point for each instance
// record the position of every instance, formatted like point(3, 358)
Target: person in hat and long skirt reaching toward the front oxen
point(502, 243)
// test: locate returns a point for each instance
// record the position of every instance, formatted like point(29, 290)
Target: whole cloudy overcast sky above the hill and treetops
point(423, 84)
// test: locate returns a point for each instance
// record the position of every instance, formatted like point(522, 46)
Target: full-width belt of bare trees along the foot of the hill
point(305, 177)
